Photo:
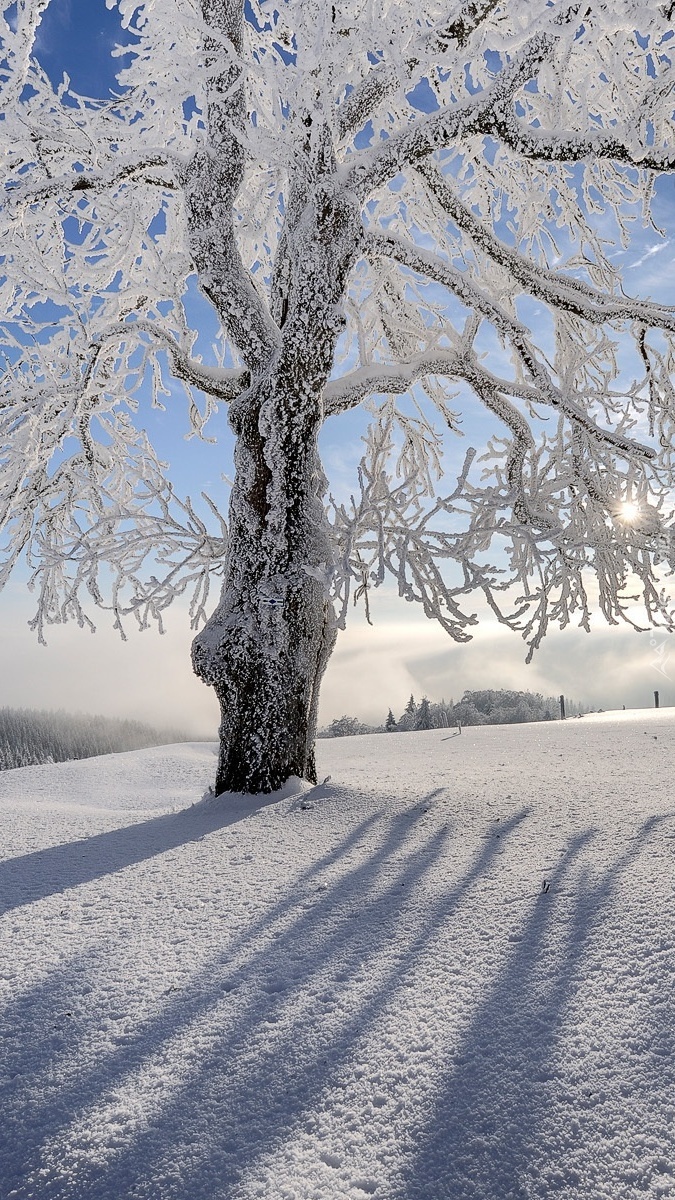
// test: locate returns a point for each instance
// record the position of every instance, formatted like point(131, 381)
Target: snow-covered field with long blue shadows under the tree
point(446, 973)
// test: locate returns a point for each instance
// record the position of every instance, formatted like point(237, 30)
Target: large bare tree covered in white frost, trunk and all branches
point(409, 207)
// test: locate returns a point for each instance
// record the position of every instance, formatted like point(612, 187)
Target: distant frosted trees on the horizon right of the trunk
point(487, 707)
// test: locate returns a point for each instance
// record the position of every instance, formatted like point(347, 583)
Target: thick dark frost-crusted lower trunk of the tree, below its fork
point(266, 647)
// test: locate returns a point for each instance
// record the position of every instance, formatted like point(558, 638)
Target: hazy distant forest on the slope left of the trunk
point(31, 737)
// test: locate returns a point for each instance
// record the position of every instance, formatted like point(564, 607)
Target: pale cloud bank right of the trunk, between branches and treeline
point(375, 669)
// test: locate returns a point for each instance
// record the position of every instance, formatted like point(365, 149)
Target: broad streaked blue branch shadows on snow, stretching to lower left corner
point(228, 1070)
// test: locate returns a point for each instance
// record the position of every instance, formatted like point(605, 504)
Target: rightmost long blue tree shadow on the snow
point(479, 1142)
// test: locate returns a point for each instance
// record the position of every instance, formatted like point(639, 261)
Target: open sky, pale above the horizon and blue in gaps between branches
point(373, 669)
